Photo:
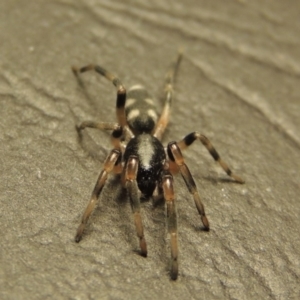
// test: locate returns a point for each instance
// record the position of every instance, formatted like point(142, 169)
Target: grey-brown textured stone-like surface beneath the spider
point(238, 84)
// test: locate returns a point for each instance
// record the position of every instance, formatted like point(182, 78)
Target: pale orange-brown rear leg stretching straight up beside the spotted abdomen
point(164, 117)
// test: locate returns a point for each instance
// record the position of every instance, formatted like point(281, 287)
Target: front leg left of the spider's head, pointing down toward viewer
point(133, 191)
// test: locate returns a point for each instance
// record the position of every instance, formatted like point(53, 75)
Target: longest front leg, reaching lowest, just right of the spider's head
point(172, 222)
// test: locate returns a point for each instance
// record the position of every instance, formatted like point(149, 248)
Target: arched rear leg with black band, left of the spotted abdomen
point(121, 91)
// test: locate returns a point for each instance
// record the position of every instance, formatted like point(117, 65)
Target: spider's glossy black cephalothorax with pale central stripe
point(151, 156)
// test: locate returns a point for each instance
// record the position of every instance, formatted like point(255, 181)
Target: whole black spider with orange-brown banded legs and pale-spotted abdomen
point(146, 167)
